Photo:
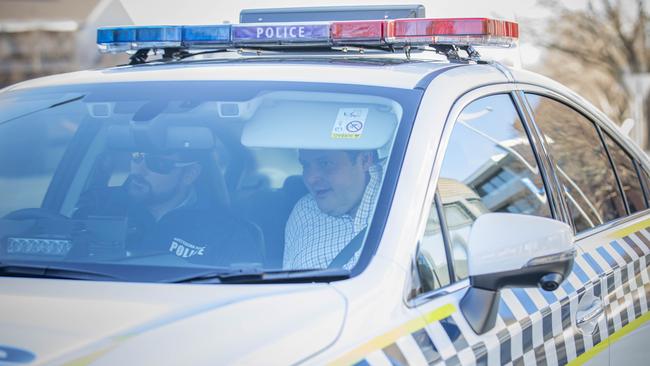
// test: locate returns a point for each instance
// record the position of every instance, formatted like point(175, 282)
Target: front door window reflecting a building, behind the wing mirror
point(489, 166)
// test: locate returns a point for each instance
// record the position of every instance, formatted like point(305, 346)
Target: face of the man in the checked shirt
point(336, 179)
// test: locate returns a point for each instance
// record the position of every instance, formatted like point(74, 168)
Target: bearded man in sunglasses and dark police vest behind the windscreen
point(166, 215)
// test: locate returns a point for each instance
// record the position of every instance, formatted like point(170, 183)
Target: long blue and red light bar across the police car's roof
point(383, 33)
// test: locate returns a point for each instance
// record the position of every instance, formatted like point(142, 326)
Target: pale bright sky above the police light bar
point(526, 12)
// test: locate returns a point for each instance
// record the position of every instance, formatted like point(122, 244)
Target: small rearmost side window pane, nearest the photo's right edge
point(627, 174)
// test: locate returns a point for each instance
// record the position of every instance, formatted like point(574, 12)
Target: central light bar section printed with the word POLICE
point(281, 33)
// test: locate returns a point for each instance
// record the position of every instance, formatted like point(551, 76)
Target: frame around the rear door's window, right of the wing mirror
point(602, 123)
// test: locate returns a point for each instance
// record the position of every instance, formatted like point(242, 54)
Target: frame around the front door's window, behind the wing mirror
point(432, 199)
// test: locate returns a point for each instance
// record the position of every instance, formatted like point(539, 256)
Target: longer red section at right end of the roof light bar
point(456, 31)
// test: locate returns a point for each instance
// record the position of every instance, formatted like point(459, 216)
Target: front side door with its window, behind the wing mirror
point(489, 161)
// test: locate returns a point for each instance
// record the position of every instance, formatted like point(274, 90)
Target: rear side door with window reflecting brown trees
point(604, 196)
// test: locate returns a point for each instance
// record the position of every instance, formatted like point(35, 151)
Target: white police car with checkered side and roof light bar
point(190, 208)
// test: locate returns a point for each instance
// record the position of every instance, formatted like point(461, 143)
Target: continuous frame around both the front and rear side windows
point(558, 206)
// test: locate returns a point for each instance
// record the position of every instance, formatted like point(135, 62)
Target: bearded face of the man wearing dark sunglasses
point(155, 179)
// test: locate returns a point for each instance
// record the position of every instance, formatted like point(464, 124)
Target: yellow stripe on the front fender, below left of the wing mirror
point(391, 336)
